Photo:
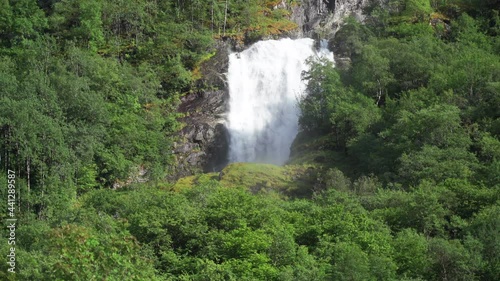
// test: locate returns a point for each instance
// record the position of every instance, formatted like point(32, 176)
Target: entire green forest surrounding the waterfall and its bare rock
point(395, 174)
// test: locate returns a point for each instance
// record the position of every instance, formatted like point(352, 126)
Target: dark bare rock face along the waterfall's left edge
point(204, 141)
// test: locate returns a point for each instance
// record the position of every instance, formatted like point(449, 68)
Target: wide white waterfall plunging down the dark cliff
point(265, 85)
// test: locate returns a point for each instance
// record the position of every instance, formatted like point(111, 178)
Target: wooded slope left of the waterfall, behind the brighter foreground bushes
point(89, 89)
